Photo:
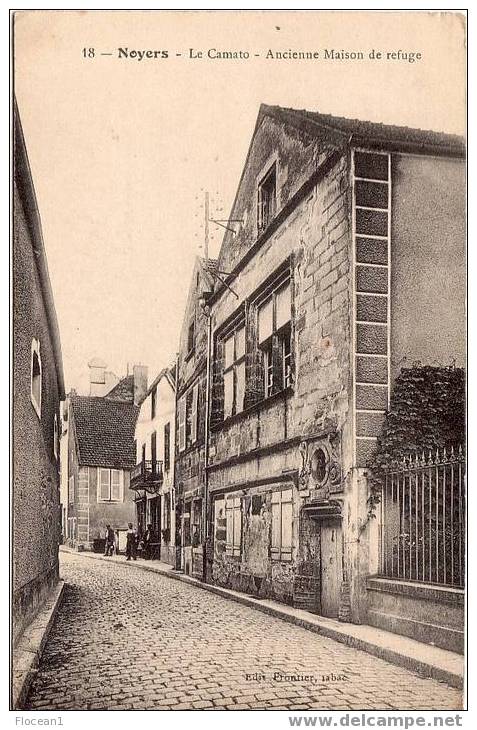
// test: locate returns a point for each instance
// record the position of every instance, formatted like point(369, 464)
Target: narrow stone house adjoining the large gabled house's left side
point(190, 440)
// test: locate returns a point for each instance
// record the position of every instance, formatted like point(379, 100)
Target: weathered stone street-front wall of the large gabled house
point(254, 449)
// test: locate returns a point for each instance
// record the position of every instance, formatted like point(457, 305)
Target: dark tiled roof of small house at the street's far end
point(104, 431)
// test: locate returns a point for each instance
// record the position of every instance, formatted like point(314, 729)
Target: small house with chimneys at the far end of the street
point(101, 454)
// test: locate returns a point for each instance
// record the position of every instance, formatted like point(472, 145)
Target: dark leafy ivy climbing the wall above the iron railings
point(427, 411)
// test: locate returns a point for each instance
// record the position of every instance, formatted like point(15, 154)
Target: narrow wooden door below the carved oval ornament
point(331, 567)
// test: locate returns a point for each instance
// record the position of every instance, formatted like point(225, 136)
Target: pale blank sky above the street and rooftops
point(122, 149)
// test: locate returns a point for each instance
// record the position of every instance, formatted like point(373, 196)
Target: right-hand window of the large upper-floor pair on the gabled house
point(274, 338)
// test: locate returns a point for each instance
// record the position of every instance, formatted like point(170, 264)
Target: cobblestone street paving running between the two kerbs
point(130, 639)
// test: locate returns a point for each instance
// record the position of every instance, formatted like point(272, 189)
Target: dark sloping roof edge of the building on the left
point(27, 193)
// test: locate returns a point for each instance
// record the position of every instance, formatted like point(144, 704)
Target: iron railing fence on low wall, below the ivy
point(423, 518)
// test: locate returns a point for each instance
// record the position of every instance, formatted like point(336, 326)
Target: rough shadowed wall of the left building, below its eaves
point(35, 509)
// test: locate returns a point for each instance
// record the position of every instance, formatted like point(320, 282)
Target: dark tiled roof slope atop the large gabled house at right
point(371, 134)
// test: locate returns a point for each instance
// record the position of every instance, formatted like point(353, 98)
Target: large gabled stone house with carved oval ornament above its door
point(348, 262)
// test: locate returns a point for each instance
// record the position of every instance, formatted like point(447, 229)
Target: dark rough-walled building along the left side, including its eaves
point(38, 388)
